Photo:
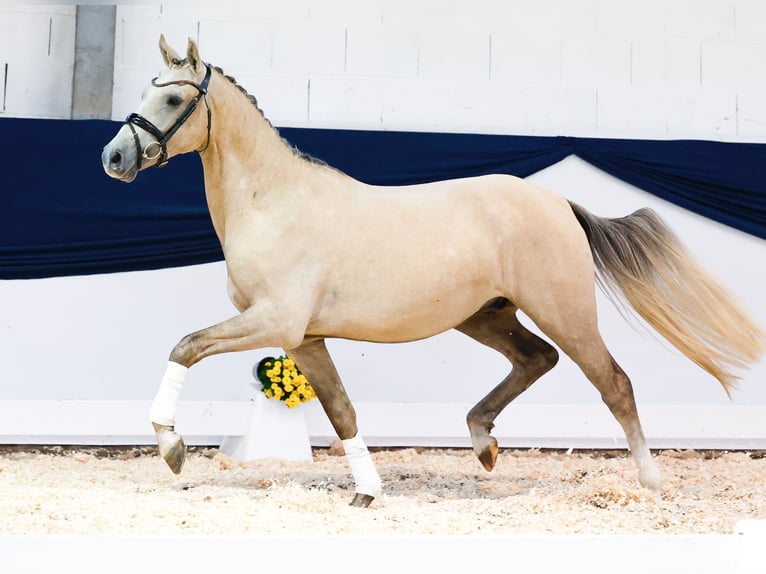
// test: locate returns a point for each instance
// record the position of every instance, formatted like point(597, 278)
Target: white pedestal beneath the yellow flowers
point(273, 431)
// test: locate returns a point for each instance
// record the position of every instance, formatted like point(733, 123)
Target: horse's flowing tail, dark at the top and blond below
point(640, 260)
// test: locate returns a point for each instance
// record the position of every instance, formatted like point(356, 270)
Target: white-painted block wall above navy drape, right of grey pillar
point(651, 69)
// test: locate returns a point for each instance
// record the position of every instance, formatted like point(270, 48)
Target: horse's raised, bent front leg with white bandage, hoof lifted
point(251, 329)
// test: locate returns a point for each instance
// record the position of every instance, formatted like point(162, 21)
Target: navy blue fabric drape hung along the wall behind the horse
point(64, 216)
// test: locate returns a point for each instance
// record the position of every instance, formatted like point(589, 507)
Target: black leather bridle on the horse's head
point(157, 150)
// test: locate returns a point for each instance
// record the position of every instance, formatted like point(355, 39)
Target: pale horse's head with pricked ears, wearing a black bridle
point(168, 121)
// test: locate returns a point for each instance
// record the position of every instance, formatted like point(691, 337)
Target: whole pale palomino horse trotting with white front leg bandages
point(486, 247)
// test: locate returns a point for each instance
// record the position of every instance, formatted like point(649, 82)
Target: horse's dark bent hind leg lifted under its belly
point(497, 326)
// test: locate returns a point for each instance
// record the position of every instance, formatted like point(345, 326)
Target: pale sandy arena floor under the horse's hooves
point(130, 491)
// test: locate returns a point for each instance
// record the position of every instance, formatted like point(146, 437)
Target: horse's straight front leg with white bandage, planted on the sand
point(314, 361)
